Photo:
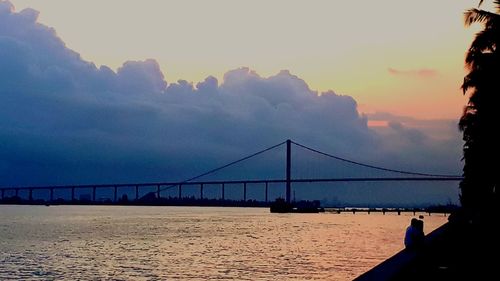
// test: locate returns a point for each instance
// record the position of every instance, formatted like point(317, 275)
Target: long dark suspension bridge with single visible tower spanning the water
point(289, 181)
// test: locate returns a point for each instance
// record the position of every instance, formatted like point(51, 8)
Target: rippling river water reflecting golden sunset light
point(177, 243)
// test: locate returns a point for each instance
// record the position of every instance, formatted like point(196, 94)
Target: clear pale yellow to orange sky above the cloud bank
point(402, 57)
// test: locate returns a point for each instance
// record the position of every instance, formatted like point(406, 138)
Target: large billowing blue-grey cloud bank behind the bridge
point(65, 121)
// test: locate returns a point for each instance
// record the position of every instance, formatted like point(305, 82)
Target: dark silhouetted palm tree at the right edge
point(480, 122)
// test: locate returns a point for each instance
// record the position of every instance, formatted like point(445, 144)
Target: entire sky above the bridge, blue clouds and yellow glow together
point(120, 91)
